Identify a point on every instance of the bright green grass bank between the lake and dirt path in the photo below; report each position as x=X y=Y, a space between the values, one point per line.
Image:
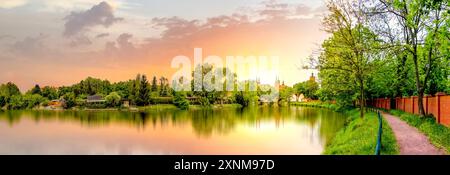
x=359 y=136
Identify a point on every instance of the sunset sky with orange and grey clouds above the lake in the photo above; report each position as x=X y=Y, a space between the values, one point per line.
x=54 y=42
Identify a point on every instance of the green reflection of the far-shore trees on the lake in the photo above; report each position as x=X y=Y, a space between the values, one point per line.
x=204 y=122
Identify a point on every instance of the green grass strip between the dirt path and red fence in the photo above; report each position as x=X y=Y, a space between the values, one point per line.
x=438 y=134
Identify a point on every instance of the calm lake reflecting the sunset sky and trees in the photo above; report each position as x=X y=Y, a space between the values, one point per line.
x=248 y=131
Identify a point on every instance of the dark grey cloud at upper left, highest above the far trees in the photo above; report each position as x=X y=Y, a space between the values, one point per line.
x=99 y=15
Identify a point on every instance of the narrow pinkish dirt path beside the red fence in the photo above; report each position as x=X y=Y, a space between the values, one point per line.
x=409 y=139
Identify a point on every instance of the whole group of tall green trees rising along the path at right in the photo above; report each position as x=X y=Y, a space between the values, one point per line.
x=384 y=48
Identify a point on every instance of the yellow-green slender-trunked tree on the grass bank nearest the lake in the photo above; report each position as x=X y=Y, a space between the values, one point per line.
x=350 y=50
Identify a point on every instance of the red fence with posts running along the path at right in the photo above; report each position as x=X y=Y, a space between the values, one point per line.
x=438 y=106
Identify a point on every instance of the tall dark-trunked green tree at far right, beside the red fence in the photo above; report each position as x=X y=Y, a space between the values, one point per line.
x=423 y=27
